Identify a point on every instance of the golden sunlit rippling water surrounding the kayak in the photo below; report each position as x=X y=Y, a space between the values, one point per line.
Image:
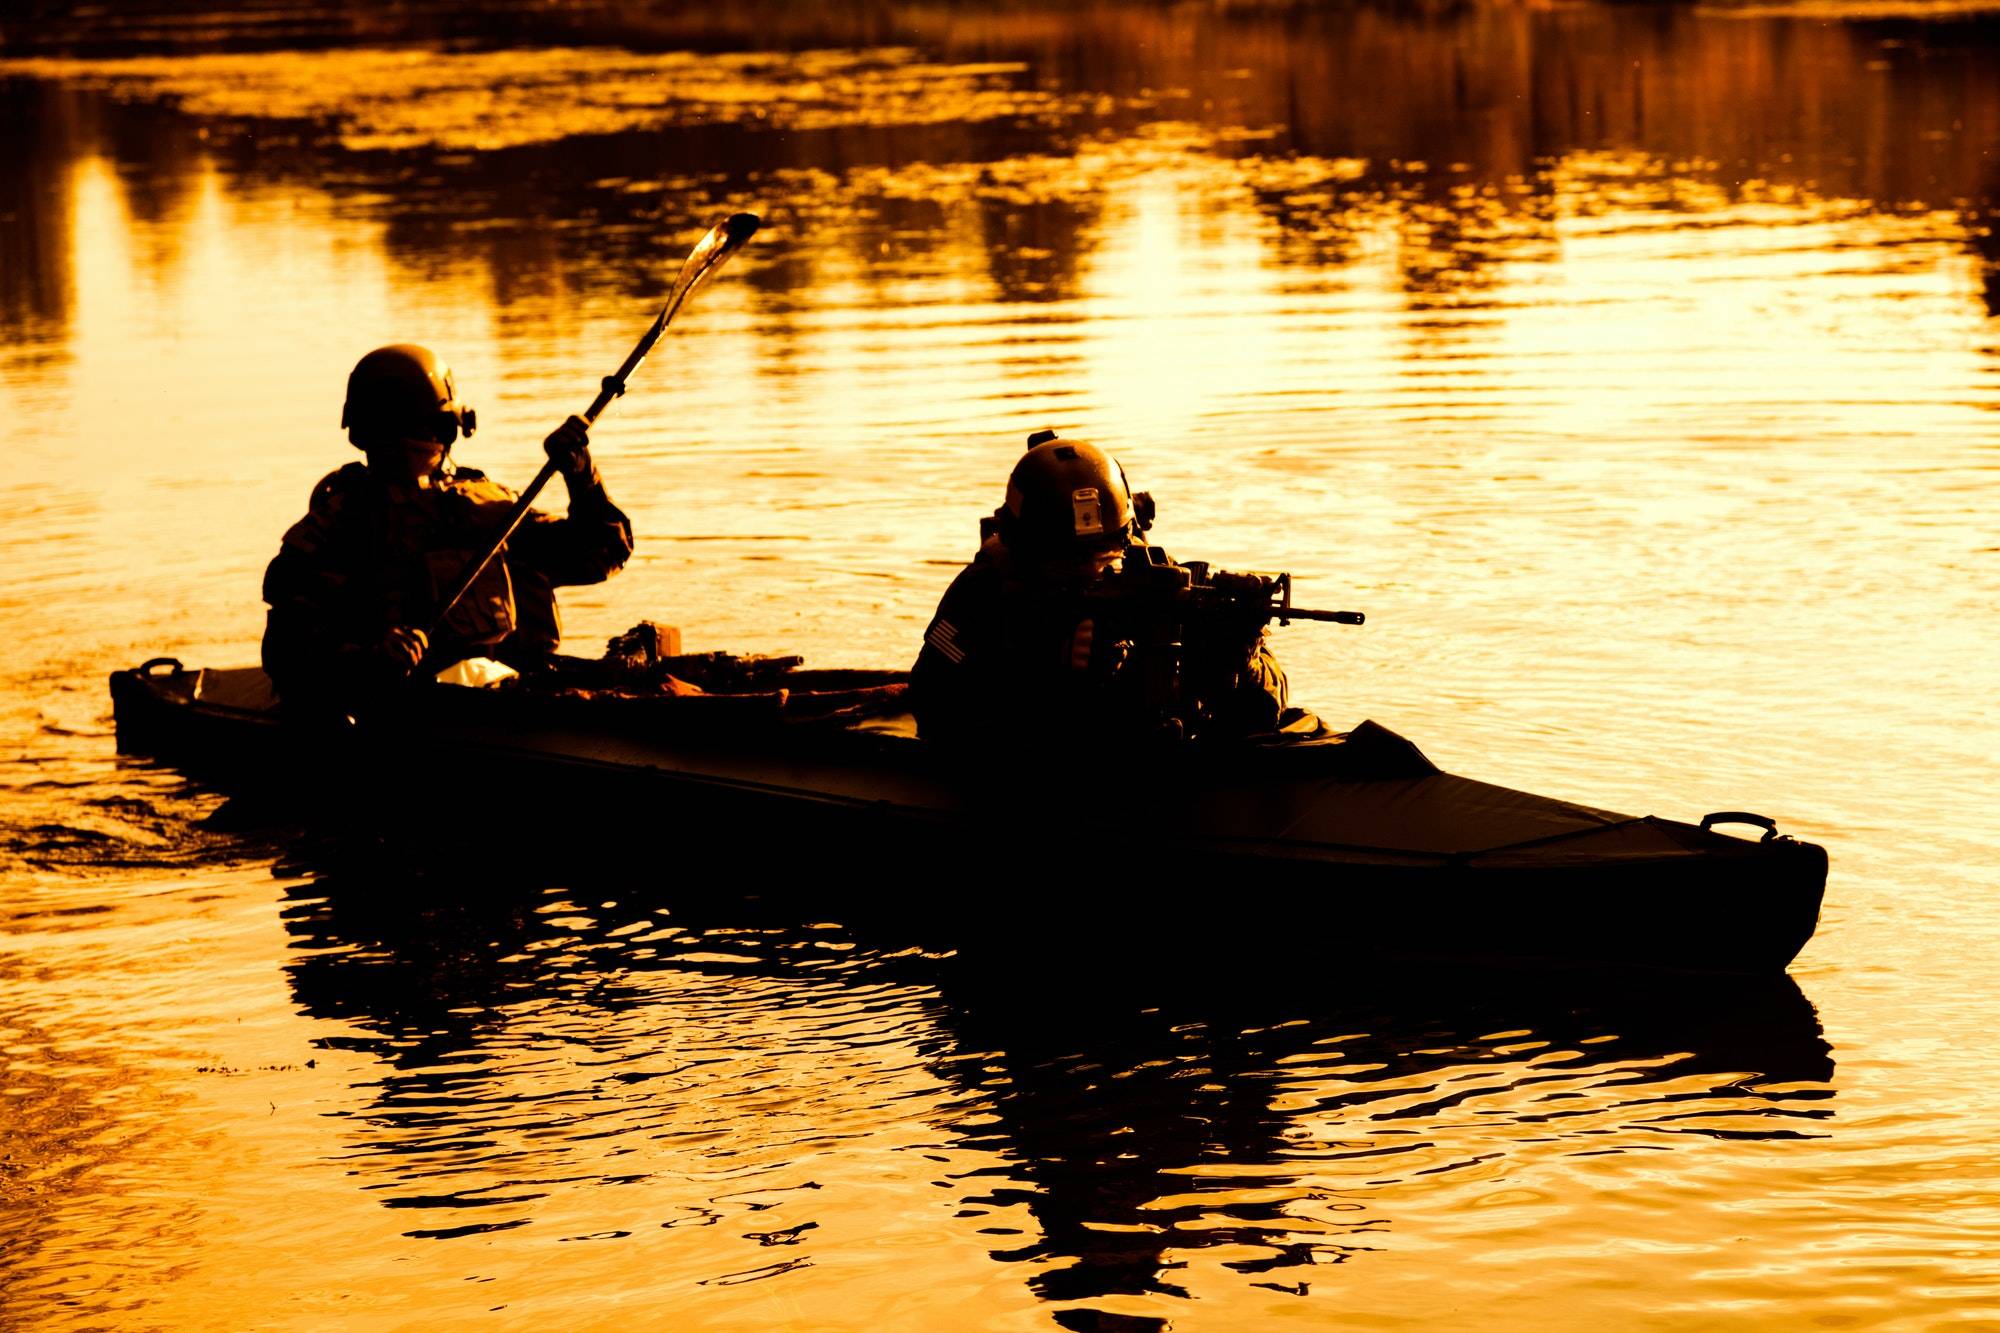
x=1635 y=371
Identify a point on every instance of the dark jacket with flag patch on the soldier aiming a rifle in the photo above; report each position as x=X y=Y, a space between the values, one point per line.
x=997 y=672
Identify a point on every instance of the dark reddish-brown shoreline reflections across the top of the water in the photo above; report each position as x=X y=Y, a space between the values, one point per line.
x=1457 y=119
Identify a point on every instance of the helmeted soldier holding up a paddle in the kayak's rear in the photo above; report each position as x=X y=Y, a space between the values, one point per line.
x=359 y=581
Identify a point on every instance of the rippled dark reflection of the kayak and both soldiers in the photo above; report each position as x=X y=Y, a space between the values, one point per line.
x=1115 y=1138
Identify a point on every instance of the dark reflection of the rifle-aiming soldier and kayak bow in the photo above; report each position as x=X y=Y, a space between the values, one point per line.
x=1287 y=1144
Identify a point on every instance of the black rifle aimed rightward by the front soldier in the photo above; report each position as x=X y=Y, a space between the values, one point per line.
x=1189 y=633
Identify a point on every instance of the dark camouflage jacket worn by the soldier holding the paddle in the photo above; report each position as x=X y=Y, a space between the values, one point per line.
x=367 y=559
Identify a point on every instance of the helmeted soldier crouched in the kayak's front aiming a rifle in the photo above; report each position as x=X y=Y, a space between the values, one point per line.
x=1071 y=631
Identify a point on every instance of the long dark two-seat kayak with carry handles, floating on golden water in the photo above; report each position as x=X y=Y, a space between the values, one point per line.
x=1353 y=846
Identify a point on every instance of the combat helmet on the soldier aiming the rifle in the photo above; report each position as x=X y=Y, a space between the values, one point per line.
x=1069 y=497
